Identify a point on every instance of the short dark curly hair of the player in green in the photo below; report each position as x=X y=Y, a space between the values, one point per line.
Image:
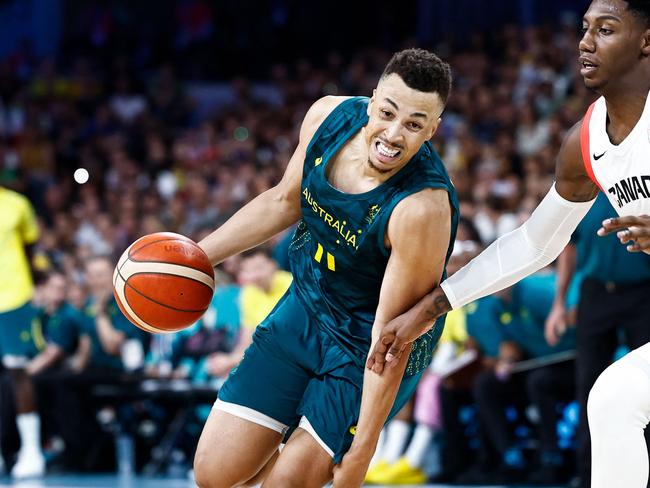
x=421 y=70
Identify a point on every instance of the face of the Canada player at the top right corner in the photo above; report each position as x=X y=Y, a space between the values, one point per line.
x=612 y=44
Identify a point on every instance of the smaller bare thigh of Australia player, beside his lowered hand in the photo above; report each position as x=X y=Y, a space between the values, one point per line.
x=303 y=463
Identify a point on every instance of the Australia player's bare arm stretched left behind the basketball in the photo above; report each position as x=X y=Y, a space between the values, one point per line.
x=275 y=209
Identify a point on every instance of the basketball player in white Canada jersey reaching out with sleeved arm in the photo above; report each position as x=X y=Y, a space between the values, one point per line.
x=608 y=150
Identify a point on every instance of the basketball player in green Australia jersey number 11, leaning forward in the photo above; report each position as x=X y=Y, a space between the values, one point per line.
x=377 y=219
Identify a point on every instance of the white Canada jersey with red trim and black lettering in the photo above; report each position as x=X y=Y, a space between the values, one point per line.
x=621 y=171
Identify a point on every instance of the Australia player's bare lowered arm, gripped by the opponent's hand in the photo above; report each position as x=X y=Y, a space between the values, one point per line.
x=418 y=234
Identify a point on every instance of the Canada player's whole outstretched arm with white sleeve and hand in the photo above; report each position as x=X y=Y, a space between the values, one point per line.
x=507 y=260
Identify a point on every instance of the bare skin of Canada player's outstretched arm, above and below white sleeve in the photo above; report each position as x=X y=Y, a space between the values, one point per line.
x=572 y=183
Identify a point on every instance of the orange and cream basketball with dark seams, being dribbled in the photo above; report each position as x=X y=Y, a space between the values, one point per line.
x=163 y=282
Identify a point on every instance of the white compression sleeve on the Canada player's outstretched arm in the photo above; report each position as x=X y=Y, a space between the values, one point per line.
x=519 y=253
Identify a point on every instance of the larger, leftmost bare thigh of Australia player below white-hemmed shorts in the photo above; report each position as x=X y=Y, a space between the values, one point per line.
x=232 y=450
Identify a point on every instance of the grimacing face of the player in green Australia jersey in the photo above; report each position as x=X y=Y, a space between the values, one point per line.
x=400 y=120
